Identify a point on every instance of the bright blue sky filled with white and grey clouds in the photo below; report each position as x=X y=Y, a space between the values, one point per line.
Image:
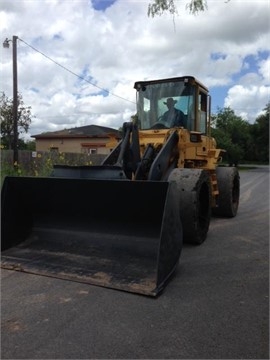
x=78 y=60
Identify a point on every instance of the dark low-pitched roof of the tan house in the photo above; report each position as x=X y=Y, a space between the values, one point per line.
x=83 y=131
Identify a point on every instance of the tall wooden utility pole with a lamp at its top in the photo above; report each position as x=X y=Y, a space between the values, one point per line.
x=15 y=97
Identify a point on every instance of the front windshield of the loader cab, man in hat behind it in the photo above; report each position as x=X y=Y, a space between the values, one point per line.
x=158 y=104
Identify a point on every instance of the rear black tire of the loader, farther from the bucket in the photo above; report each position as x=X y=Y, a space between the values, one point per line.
x=228 y=180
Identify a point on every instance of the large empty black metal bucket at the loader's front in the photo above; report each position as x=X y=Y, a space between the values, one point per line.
x=119 y=234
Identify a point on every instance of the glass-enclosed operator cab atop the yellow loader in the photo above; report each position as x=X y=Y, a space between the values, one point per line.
x=190 y=99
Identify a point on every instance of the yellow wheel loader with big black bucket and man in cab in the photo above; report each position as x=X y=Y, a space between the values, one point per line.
x=122 y=224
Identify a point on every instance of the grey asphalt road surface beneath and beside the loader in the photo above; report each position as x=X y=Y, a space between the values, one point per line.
x=216 y=306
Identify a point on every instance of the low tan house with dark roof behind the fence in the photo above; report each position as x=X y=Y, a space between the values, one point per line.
x=90 y=139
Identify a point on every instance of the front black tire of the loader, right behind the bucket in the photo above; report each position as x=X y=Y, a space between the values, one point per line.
x=195 y=203
